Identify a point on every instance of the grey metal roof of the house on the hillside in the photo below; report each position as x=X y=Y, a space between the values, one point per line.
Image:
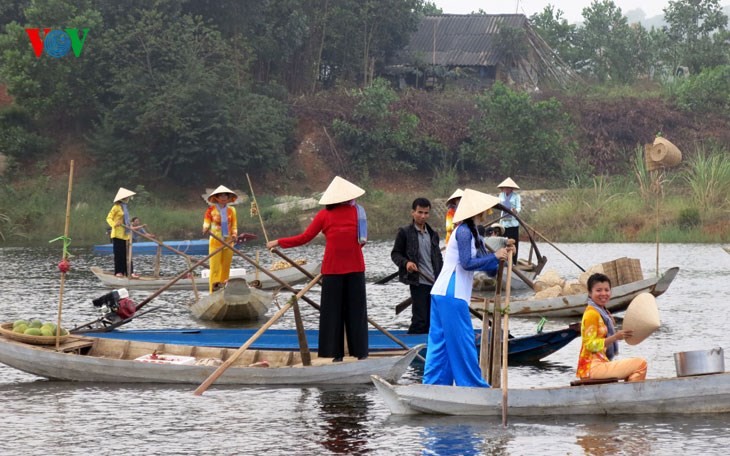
x=461 y=40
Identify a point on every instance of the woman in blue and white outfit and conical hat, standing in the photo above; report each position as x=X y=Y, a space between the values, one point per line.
x=452 y=354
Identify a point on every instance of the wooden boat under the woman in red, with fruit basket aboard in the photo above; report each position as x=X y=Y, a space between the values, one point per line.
x=85 y=359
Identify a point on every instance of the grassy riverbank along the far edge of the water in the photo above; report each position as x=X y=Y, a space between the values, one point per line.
x=616 y=209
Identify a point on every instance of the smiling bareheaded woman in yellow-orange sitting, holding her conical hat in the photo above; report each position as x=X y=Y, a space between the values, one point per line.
x=599 y=339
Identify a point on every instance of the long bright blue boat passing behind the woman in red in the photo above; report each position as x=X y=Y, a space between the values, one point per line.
x=522 y=350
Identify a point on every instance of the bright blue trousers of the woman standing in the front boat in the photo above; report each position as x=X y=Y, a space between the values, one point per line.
x=451 y=357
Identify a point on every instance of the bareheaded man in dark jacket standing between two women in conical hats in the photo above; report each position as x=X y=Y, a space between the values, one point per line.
x=417 y=254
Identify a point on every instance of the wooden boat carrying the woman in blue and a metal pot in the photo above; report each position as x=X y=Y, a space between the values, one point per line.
x=679 y=395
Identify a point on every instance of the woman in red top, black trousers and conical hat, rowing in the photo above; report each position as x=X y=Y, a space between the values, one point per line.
x=344 y=306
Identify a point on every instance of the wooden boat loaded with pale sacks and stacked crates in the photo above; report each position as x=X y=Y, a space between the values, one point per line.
x=574 y=305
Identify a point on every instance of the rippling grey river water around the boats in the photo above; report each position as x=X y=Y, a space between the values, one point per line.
x=63 y=418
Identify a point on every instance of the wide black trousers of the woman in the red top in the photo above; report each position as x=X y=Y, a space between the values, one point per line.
x=344 y=310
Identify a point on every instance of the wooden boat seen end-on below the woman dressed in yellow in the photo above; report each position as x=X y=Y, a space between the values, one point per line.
x=235 y=302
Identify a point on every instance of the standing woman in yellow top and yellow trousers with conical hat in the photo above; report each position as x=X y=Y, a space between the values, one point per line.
x=221 y=220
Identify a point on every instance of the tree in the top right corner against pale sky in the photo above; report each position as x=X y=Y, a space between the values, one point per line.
x=697 y=29
